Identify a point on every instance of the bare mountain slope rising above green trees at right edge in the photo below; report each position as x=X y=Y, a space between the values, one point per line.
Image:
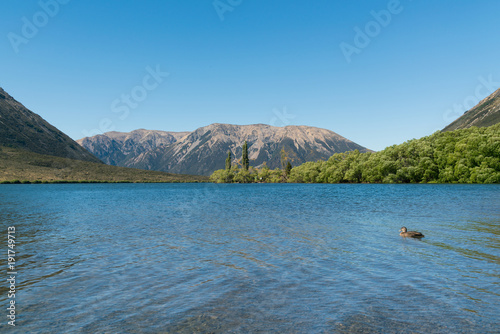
x=486 y=113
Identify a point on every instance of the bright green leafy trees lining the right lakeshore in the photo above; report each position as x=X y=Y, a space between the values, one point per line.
x=461 y=156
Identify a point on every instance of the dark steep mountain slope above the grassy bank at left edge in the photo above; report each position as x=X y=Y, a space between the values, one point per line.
x=22 y=128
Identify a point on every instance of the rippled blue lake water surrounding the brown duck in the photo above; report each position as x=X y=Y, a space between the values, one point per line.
x=204 y=258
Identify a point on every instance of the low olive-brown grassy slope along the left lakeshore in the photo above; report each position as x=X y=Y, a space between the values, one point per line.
x=25 y=166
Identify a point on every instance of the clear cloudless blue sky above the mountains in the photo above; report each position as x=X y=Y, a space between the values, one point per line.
x=376 y=72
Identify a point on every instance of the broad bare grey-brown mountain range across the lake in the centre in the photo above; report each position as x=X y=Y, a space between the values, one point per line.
x=205 y=149
